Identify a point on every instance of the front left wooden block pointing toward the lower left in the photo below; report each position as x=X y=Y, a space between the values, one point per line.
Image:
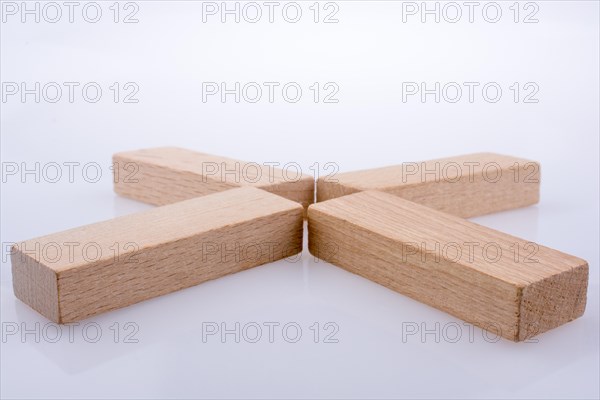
x=84 y=271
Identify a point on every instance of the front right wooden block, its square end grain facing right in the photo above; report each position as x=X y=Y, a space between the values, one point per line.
x=490 y=279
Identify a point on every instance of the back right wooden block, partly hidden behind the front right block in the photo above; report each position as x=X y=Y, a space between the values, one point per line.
x=467 y=186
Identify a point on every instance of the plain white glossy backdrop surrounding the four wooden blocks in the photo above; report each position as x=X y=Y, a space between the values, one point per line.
x=368 y=54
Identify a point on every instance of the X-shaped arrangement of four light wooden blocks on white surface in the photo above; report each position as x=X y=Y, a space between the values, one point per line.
x=399 y=226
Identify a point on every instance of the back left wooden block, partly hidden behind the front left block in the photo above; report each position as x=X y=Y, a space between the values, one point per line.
x=168 y=174
